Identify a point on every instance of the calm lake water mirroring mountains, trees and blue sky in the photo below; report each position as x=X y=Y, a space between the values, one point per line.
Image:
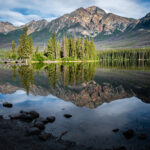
x=100 y=98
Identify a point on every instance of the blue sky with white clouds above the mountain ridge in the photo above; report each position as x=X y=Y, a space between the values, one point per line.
x=19 y=12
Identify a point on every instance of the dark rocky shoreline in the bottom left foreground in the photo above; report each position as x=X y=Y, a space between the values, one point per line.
x=23 y=133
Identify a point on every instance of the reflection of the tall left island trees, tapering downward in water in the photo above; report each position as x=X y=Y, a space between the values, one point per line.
x=26 y=74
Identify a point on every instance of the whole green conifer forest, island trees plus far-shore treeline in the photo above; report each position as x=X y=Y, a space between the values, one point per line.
x=69 y=49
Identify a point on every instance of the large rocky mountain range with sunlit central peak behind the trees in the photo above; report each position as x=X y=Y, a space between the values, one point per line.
x=105 y=28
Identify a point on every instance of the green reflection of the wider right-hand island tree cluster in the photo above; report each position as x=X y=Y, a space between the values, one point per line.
x=70 y=74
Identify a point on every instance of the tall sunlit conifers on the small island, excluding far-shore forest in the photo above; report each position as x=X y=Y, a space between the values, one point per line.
x=67 y=48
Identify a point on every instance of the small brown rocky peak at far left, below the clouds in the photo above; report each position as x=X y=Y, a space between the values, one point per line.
x=6 y=27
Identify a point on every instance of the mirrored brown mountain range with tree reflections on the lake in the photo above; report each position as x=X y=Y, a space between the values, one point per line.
x=77 y=83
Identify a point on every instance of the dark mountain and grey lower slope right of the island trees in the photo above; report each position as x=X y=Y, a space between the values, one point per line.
x=136 y=35
